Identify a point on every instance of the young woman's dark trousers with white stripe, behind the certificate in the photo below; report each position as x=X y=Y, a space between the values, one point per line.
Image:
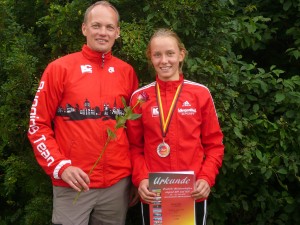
x=201 y=213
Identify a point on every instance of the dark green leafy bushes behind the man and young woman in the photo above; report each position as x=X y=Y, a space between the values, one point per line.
x=246 y=52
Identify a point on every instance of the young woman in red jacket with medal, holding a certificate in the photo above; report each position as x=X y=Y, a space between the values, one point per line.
x=178 y=115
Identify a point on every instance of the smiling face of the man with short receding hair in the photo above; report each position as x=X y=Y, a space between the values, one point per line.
x=101 y=28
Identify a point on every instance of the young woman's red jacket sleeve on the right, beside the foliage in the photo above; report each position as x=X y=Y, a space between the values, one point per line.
x=212 y=142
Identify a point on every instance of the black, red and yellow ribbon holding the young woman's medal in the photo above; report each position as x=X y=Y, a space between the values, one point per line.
x=165 y=123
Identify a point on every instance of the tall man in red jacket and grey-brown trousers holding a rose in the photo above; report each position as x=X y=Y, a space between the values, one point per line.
x=78 y=98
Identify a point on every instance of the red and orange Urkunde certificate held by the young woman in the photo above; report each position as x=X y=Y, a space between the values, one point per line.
x=174 y=205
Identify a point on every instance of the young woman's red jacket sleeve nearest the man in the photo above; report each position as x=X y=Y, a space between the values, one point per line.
x=136 y=140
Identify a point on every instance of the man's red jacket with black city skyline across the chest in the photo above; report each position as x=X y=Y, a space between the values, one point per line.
x=77 y=100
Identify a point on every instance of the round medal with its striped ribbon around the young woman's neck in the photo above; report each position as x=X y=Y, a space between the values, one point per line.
x=163 y=149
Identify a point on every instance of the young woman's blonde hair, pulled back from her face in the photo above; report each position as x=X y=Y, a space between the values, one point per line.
x=164 y=32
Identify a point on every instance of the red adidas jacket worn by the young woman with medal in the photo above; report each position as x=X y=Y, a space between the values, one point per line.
x=194 y=134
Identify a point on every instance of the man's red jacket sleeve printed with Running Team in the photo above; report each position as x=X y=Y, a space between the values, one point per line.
x=40 y=132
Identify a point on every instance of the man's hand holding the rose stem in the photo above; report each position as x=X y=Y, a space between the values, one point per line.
x=76 y=178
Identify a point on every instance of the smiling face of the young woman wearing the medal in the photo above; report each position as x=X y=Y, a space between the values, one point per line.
x=165 y=57
